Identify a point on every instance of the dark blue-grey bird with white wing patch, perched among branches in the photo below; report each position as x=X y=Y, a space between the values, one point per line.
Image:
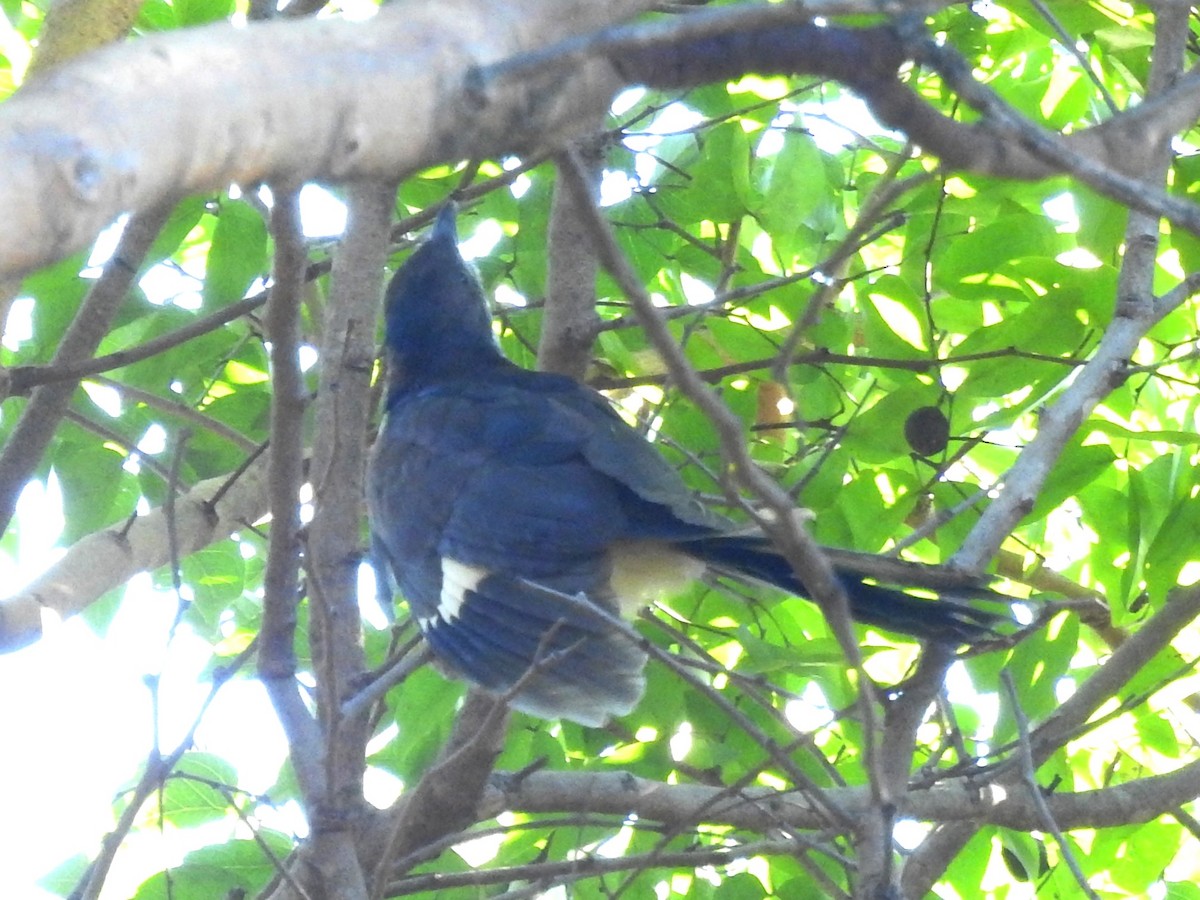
x=519 y=513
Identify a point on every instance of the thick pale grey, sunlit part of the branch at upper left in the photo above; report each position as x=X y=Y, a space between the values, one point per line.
x=130 y=127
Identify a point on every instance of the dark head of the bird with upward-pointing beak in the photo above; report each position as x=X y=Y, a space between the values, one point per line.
x=439 y=325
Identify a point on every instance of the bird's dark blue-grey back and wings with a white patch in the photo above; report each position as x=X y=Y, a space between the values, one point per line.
x=499 y=507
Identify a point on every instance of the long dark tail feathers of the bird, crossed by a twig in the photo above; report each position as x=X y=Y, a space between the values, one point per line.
x=947 y=619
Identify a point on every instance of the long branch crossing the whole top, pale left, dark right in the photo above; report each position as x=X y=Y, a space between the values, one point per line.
x=230 y=110
